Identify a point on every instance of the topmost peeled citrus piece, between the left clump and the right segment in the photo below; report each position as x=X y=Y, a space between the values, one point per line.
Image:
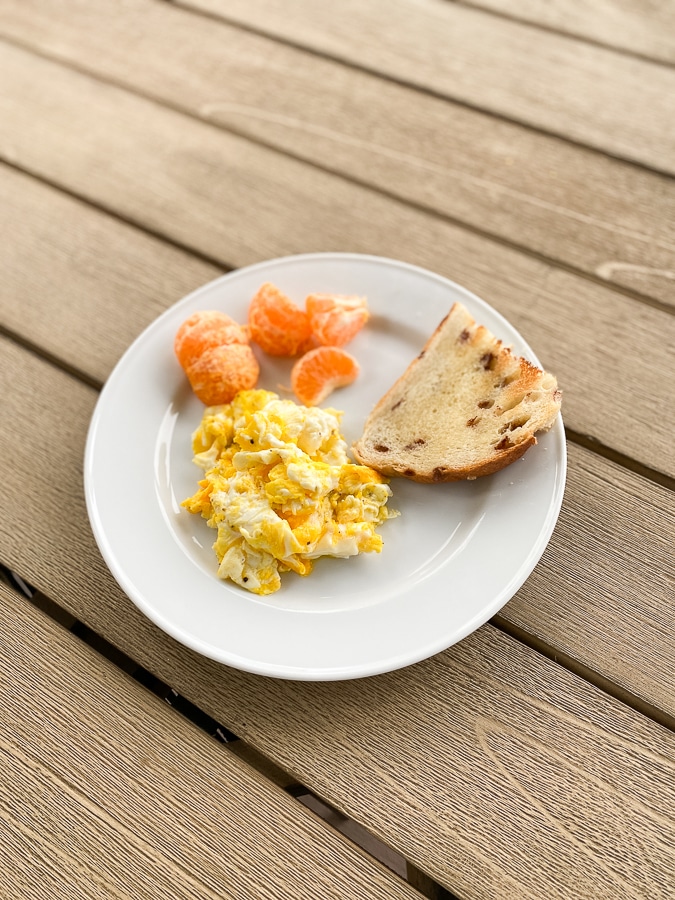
x=276 y=324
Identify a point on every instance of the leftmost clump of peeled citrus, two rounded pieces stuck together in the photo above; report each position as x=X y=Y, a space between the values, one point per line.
x=216 y=356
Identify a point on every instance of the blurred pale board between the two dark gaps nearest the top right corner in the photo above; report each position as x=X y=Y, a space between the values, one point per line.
x=564 y=86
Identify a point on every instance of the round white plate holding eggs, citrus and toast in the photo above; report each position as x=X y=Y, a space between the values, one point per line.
x=452 y=559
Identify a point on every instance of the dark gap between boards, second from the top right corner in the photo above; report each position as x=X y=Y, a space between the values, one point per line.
x=422 y=89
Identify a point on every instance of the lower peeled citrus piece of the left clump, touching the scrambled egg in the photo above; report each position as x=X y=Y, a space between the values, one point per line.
x=220 y=372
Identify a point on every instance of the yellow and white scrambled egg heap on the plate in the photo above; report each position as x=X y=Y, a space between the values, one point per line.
x=280 y=490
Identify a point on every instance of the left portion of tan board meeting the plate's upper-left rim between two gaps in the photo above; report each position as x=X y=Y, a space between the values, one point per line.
x=66 y=268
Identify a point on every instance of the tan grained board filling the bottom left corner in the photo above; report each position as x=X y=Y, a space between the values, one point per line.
x=108 y=793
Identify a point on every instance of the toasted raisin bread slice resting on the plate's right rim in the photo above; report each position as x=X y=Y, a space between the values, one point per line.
x=465 y=407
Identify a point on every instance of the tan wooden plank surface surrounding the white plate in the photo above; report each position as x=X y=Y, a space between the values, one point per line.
x=527 y=164
